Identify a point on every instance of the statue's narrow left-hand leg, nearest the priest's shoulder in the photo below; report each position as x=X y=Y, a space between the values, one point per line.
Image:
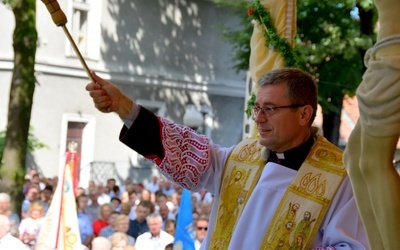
x=352 y=157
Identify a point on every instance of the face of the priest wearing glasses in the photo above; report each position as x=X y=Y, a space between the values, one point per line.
x=282 y=128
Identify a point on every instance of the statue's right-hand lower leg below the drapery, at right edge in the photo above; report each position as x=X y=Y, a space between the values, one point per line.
x=383 y=183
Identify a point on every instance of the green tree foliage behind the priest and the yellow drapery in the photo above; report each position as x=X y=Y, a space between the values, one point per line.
x=332 y=37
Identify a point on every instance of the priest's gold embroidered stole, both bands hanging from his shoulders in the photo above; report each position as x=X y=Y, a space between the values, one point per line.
x=312 y=190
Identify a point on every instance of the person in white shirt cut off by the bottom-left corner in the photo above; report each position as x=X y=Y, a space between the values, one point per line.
x=7 y=241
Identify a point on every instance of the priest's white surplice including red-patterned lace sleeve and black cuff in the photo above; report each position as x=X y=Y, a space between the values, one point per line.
x=194 y=162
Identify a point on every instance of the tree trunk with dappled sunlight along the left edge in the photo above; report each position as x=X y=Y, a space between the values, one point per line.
x=12 y=169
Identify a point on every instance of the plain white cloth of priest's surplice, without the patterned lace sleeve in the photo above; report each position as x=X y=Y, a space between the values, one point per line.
x=342 y=227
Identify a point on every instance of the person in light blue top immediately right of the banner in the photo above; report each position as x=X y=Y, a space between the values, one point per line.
x=84 y=221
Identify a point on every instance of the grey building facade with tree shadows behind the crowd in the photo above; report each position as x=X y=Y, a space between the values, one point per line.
x=166 y=55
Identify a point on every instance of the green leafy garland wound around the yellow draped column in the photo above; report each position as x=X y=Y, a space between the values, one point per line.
x=272 y=39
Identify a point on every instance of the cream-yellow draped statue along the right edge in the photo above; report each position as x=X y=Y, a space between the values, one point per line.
x=378 y=132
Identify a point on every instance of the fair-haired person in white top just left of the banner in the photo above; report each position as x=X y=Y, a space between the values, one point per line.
x=29 y=227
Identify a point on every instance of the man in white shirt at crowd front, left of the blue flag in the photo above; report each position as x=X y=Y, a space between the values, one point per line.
x=155 y=239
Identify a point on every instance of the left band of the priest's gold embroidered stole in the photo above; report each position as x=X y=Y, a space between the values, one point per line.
x=240 y=176
